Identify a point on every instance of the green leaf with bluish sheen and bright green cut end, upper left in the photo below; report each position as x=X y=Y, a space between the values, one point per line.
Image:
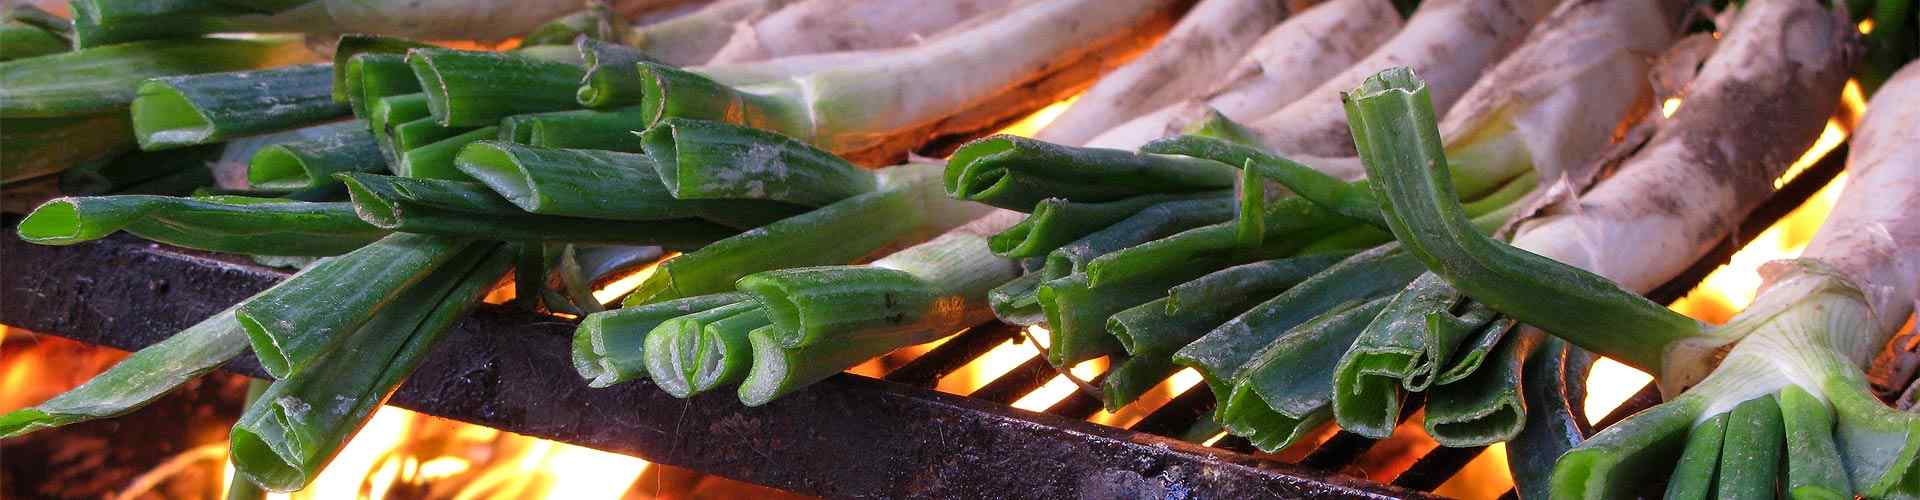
x=172 y=112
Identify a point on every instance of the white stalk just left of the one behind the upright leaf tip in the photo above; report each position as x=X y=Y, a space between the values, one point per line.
x=1289 y=61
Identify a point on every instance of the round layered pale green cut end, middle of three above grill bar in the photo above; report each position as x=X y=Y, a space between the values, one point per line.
x=679 y=351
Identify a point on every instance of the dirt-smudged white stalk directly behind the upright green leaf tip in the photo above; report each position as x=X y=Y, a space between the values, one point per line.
x=1451 y=43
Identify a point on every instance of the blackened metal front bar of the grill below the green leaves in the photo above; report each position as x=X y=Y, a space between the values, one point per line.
x=846 y=437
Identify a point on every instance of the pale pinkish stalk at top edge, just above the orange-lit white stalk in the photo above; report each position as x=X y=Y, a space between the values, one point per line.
x=838 y=26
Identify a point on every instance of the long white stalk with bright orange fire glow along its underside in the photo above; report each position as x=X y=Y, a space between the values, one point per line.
x=959 y=82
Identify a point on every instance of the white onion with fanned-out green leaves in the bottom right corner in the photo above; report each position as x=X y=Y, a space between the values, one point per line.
x=1813 y=330
